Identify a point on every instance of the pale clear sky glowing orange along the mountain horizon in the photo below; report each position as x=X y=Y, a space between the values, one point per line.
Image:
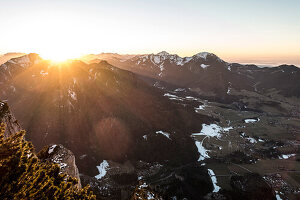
x=246 y=31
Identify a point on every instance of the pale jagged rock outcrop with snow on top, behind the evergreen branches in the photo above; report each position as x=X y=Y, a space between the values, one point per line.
x=63 y=157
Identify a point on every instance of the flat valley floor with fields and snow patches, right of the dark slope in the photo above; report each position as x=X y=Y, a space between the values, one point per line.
x=265 y=135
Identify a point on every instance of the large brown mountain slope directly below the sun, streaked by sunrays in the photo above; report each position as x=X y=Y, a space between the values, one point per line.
x=97 y=111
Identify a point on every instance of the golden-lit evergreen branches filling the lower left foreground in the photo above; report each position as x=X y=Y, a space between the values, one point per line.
x=24 y=176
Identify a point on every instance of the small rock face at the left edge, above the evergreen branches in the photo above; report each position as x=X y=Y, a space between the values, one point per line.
x=12 y=125
